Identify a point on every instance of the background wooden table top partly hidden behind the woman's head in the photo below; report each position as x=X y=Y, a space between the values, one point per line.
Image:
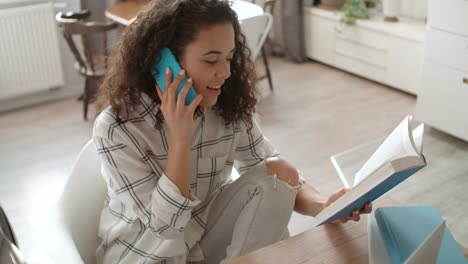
x=125 y=12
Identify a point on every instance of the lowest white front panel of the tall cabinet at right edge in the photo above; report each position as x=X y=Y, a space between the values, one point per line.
x=442 y=101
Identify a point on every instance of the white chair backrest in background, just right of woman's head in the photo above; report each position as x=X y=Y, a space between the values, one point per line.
x=256 y=30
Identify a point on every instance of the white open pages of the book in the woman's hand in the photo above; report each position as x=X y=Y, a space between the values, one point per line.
x=398 y=143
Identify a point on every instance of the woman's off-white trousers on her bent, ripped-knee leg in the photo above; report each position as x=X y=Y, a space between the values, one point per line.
x=250 y=213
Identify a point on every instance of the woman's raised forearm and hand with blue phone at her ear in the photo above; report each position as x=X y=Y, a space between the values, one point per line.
x=179 y=117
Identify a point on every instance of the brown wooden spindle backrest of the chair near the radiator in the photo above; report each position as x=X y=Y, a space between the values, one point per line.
x=73 y=24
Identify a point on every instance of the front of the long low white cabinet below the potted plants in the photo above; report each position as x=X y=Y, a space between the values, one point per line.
x=383 y=52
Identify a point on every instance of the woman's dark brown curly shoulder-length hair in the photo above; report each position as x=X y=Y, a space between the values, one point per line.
x=174 y=24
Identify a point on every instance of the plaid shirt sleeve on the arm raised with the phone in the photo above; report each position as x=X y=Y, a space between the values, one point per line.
x=141 y=185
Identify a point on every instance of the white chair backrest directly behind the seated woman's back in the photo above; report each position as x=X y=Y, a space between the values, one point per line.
x=82 y=202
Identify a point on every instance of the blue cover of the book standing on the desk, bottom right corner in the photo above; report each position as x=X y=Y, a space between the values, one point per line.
x=403 y=229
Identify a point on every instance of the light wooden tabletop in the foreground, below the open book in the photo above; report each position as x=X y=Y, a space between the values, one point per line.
x=340 y=243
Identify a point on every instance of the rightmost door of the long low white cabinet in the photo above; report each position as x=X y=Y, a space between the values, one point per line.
x=404 y=65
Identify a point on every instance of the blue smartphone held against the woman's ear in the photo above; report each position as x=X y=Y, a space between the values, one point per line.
x=158 y=71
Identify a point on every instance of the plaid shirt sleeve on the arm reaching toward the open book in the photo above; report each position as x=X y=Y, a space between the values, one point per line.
x=252 y=147
